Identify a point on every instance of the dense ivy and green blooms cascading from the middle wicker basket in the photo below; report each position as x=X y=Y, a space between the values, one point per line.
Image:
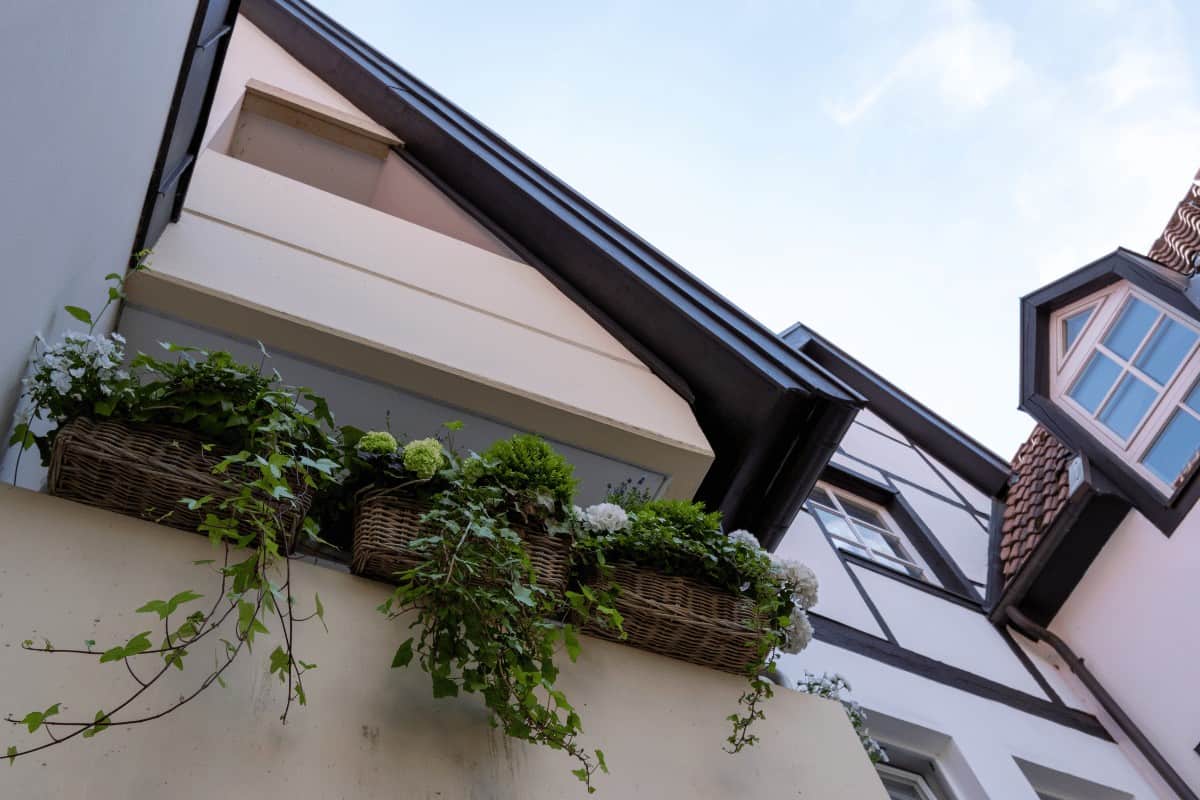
x=485 y=625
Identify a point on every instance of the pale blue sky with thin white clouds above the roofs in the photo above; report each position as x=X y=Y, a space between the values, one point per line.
x=895 y=175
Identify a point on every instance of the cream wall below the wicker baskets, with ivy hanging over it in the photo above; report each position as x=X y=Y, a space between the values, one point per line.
x=73 y=573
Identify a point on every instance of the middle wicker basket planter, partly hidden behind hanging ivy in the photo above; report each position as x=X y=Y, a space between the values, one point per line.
x=386 y=524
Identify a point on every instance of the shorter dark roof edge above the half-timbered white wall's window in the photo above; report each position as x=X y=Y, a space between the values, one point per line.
x=971 y=460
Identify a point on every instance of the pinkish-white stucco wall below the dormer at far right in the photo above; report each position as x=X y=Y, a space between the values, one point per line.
x=1132 y=619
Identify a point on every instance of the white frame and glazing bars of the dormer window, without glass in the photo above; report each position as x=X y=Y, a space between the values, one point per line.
x=1070 y=365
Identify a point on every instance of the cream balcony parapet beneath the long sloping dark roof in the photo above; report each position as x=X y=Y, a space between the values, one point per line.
x=265 y=257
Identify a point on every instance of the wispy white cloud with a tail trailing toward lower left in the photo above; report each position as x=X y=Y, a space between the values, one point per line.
x=967 y=61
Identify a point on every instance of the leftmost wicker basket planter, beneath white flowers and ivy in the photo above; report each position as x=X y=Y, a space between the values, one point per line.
x=143 y=471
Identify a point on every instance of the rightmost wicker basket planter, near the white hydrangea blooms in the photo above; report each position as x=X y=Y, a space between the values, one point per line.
x=685 y=619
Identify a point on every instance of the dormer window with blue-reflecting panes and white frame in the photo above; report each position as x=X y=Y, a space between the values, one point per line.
x=1126 y=369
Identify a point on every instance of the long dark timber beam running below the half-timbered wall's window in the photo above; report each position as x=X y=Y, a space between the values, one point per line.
x=849 y=639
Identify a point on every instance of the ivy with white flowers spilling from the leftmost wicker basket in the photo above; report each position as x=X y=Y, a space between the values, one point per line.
x=273 y=444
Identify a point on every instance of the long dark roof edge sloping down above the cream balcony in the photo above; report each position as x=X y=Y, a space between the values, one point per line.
x=759 y=345
